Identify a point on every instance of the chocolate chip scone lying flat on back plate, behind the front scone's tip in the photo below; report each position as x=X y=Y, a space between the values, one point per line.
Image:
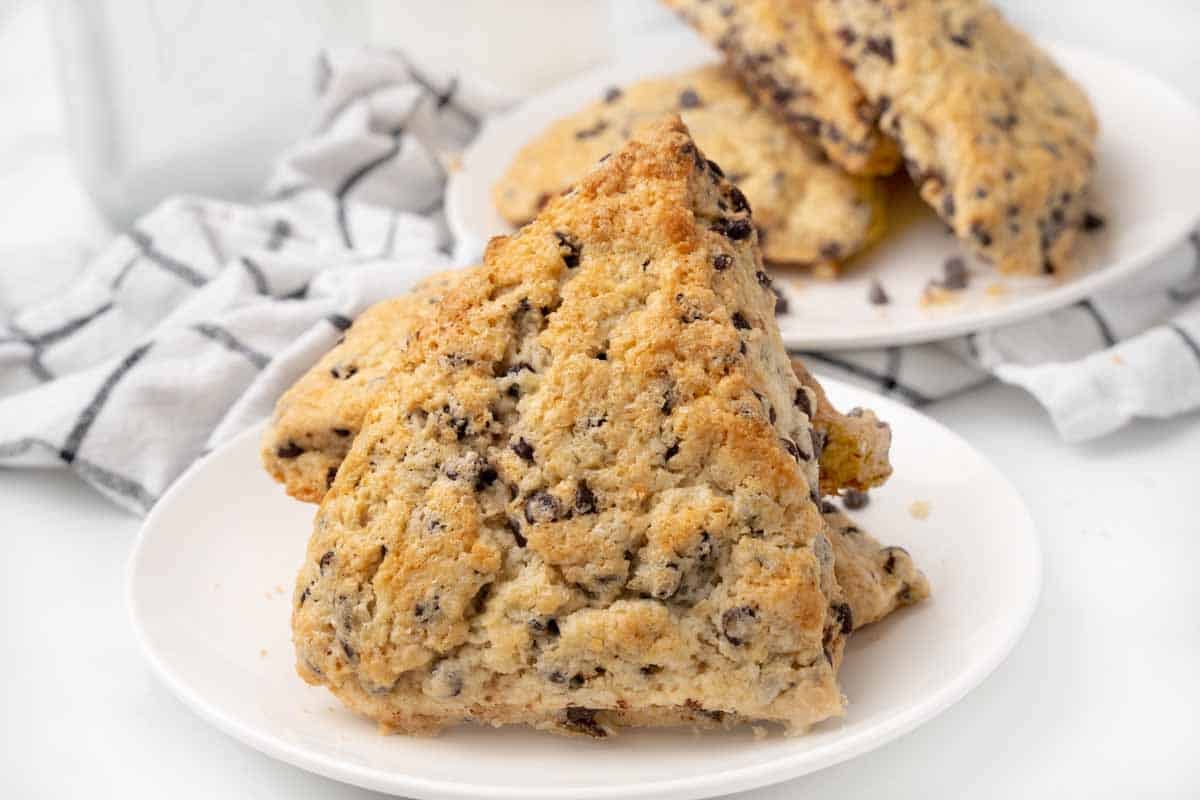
x=808 y=212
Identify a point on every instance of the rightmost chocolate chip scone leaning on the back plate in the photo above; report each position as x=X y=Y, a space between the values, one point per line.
x=997 y=137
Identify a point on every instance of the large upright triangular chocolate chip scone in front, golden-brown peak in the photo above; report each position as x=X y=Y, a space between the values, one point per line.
x=586 y=498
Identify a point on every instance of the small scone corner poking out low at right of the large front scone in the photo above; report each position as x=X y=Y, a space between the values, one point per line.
x=877 y=580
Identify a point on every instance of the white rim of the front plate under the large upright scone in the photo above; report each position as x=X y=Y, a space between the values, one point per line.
x=683 y=789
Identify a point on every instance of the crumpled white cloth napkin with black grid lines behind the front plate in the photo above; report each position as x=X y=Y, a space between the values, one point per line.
x=185 y=330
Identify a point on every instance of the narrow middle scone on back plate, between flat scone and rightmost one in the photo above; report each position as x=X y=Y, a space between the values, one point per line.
x=781 y=53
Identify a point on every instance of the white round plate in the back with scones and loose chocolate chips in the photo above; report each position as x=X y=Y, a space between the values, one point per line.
x=1148 y=187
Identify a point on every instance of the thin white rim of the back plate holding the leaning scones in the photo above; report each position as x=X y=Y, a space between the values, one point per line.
x=1053 y=299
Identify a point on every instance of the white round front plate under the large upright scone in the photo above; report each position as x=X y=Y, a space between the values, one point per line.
x=211 y=593
